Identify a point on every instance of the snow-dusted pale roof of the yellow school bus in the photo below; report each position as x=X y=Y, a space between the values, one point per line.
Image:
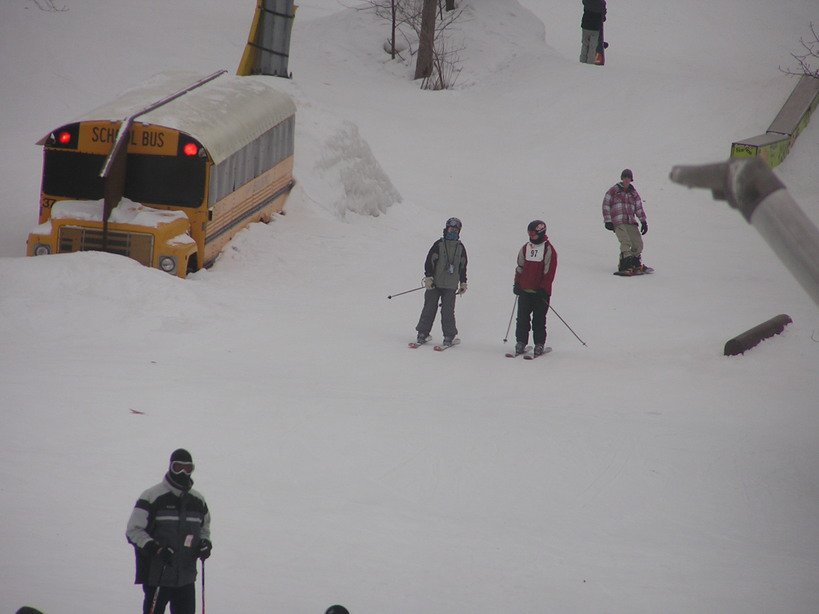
x=224 y=114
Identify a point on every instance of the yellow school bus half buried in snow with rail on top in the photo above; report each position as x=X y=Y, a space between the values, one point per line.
x=168 y=172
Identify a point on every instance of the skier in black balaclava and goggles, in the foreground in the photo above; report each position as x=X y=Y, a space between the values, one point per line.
x=169 y=529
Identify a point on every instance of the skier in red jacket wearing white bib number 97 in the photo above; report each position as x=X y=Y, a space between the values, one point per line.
x=534 y=274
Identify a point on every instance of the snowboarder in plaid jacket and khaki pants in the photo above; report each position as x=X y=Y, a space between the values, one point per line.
x=622 y=207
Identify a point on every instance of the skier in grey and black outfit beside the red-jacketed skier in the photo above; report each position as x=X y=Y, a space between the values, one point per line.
x=444 y=278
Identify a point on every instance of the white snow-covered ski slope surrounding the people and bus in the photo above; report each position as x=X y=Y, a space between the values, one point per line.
x=643 y=472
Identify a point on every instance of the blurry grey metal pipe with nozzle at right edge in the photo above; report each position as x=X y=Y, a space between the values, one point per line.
x=749 y=185
